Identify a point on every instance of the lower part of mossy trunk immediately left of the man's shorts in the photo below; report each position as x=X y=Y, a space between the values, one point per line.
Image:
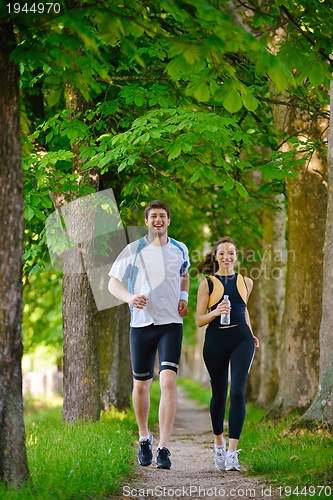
x=114 y=356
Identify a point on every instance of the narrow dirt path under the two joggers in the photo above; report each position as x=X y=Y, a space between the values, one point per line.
x=193 y=474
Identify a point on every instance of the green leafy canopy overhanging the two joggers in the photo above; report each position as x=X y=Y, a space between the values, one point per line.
x=180 y=100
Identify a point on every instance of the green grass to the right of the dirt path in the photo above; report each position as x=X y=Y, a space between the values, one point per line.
x=285 y=454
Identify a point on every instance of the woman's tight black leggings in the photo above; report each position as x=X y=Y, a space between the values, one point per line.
x=223 y=345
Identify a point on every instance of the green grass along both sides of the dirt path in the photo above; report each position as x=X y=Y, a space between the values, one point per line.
x=90 y=461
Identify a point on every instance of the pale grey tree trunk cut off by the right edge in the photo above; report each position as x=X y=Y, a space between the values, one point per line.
x=321 y=408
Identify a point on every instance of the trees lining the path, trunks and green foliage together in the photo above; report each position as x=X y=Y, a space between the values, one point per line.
x=221 y=109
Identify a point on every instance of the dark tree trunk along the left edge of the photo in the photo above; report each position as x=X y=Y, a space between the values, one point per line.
x=13 y=458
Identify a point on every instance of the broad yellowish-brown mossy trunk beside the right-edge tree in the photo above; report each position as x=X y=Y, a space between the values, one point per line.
x=307 y=203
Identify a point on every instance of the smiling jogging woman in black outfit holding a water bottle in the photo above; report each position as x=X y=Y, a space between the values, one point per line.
x=233 y=344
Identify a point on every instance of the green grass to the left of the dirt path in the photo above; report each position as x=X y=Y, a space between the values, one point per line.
x=88 y=461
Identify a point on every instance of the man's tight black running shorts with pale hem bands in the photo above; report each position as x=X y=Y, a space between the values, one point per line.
x=146 y=340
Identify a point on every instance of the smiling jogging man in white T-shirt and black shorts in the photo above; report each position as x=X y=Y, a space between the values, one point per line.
x=155 y=269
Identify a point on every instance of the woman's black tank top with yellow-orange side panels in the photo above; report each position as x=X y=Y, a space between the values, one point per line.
x=236 y=288
